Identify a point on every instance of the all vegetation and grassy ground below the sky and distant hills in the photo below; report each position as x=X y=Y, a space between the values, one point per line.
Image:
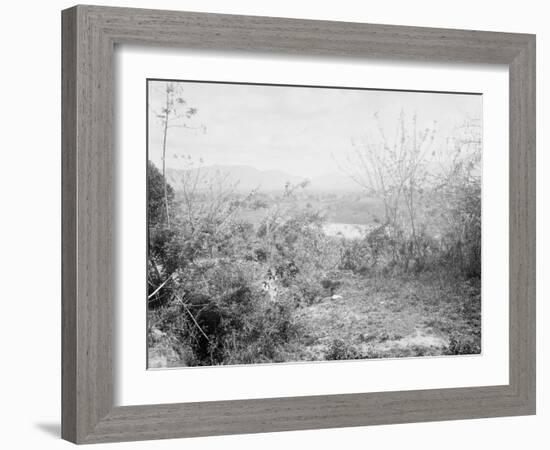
x=249 y=277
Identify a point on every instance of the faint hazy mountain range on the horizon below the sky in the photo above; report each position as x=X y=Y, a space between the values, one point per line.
x=249 y=178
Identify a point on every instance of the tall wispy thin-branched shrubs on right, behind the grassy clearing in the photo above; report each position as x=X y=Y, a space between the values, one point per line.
x=431 y=196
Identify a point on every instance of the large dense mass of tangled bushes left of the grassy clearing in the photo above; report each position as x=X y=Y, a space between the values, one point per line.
x=213 y=304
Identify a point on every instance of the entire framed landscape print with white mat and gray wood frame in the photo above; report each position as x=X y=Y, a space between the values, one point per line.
x=277 y=224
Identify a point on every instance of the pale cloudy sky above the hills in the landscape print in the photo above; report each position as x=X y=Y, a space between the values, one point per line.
x=302 y=131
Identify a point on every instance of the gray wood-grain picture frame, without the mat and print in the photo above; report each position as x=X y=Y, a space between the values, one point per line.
x=89 y=36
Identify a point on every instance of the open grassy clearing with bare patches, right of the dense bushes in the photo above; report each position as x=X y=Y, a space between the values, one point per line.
x=396 y=317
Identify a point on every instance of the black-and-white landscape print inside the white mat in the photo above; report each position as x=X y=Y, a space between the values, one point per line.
x=292 y=224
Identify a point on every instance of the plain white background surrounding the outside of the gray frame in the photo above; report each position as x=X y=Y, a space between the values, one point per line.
x=31 y=237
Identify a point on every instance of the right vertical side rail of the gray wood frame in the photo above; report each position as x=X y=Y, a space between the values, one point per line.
x=522 y=191
